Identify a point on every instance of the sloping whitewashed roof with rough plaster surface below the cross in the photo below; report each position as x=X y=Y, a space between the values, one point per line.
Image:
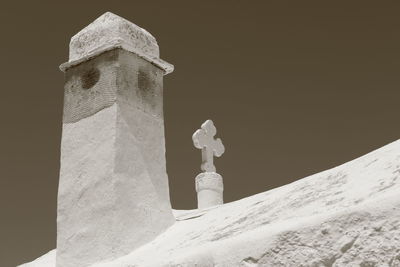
x=345 y=216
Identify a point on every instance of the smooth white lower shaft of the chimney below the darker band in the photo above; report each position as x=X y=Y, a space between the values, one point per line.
x=107 y=201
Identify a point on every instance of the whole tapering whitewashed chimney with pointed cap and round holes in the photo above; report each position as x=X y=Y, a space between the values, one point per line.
x=113 y=193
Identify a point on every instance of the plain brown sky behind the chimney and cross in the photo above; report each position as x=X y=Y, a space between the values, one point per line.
x=294 y=88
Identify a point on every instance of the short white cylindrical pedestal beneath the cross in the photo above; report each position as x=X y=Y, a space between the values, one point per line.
x=209 y=188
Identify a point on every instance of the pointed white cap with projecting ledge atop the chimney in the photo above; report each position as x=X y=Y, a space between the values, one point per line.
x=108 y=32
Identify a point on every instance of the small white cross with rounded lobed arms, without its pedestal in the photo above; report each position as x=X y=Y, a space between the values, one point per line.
x=204 y=139
